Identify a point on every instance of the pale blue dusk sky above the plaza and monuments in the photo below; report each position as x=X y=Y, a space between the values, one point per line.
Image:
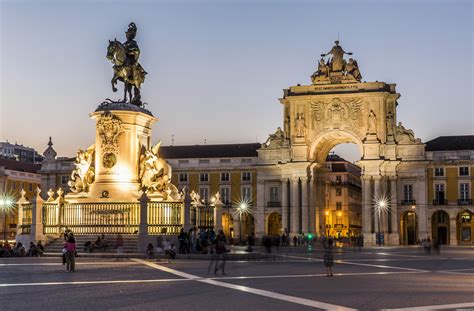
x=217 y=68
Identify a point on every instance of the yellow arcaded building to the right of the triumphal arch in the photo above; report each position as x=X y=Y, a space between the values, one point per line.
x=450 y=185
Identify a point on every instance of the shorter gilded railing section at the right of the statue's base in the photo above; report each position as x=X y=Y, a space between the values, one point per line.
x=165 y=217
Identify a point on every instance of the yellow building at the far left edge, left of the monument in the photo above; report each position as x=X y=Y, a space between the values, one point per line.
x=14 y=176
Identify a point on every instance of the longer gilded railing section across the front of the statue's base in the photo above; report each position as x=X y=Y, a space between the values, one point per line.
x=101 y=218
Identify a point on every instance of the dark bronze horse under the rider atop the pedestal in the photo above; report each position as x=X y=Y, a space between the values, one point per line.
x=132 y=75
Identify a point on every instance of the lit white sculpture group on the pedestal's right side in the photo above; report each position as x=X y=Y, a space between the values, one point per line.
x=155 y=174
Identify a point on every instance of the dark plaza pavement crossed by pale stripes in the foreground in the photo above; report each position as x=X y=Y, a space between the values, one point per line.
x=402 y=278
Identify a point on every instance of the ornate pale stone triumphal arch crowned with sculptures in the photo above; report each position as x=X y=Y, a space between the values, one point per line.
x=338 y=107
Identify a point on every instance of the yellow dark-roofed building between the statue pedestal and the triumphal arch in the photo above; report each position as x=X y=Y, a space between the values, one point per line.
x=228 y=169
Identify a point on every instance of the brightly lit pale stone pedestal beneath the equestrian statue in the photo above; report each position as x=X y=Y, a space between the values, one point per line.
x=121 y=132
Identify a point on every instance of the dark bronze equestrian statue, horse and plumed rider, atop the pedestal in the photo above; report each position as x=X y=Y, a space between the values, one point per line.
x=127 y=69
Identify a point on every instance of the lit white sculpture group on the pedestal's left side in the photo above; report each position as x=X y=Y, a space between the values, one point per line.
x=83 y=174
